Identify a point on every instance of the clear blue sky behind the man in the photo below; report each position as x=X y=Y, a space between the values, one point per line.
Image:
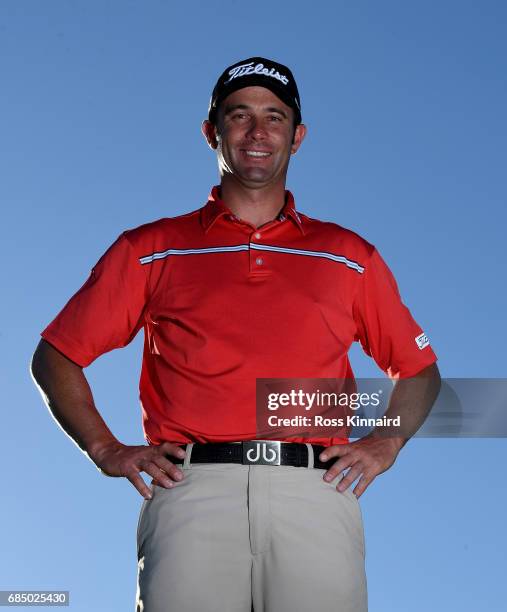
x=100 y=111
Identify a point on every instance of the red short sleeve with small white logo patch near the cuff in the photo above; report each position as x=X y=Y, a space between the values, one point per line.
x=385 y=327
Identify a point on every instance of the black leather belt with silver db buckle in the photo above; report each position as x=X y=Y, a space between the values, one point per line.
x=258 y=452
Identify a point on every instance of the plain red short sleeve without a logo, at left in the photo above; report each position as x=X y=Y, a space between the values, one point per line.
x=107 y=312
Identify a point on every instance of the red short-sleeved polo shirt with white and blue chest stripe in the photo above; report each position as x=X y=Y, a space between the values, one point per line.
x=223 y=303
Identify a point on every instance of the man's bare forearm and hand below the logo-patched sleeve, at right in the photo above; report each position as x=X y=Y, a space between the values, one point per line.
x=411 y=400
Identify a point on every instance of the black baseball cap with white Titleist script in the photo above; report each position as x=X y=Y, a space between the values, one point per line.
x=261 y=72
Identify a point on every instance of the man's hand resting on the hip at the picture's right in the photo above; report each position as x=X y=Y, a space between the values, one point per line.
x=367 y=458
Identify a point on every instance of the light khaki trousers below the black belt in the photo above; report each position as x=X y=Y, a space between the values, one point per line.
x=230 y=536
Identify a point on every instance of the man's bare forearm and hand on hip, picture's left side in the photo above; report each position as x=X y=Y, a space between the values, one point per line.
x=69 y=398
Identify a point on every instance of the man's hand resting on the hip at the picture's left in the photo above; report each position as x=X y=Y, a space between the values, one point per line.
x=117 y=459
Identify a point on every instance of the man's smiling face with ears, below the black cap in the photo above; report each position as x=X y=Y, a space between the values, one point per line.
x=254 y=137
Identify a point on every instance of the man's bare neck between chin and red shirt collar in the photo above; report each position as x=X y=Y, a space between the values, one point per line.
x=256 y=206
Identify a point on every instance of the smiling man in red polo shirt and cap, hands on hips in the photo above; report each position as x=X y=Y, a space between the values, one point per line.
x=241 y=289
